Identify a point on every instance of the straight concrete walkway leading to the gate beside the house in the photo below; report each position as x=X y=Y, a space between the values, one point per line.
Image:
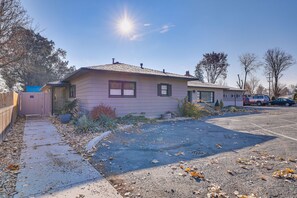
x=51 y=168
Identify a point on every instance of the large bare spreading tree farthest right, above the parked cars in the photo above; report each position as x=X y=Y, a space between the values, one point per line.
x=276 y=62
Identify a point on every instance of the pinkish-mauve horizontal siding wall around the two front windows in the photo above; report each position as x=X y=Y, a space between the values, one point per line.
x=92 y=89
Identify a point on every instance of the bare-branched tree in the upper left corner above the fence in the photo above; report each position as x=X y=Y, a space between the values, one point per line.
x=12 y=16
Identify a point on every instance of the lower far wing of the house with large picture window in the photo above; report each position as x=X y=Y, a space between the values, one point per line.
x=199 y=92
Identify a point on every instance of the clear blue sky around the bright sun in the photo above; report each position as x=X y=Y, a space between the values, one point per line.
x=169 y=34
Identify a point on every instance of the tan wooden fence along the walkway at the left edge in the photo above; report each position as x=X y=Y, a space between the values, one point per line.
x=8 y=111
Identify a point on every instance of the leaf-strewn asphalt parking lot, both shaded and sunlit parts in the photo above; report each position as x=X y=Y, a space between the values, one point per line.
x=237 y=155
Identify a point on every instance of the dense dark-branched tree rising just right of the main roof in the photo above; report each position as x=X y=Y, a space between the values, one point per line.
x=215 y=66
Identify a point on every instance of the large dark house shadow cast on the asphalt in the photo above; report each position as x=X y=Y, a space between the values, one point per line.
x=169 y=142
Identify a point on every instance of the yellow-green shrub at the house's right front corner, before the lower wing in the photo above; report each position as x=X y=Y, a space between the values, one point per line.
x=189 y=109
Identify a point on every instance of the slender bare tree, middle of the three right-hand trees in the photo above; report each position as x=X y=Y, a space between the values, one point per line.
x=249 y=63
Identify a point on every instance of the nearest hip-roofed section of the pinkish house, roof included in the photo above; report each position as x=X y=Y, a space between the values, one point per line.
x=127 y=88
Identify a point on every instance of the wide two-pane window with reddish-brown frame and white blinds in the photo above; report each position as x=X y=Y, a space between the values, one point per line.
x=122 y=89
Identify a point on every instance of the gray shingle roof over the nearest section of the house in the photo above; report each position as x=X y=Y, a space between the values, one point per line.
x=121 y=67
